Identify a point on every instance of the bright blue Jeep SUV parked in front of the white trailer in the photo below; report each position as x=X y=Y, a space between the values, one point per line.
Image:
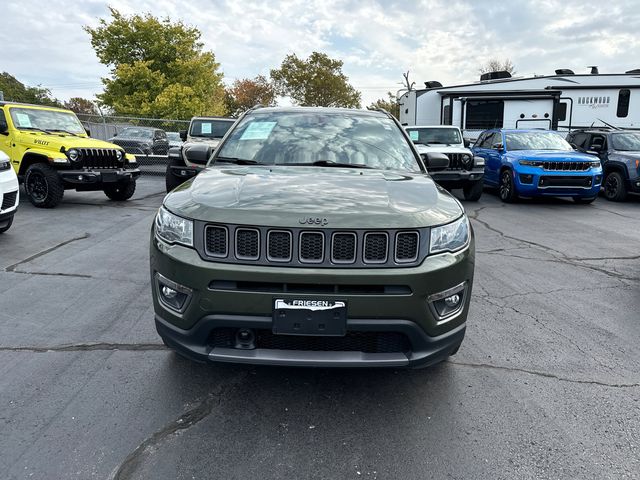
x=535 y=163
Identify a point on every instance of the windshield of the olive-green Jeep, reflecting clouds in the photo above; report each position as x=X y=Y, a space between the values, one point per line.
x=304 y=138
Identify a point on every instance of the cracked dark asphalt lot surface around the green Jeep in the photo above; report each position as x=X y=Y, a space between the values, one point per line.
x=546 y=384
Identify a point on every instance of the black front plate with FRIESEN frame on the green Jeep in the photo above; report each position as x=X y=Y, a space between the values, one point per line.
x=309 y=317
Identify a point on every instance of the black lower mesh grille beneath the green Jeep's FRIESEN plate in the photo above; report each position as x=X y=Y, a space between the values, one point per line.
x=353 y=341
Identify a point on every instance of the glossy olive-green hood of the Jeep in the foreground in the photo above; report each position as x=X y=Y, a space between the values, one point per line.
x=282 y=196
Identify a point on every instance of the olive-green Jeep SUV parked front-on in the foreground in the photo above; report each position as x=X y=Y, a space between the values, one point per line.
x=316 y=237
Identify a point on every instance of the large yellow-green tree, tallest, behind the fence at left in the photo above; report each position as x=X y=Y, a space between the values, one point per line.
x=158 y=68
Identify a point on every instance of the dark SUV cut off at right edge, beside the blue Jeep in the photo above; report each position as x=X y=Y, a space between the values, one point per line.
x=619 y=152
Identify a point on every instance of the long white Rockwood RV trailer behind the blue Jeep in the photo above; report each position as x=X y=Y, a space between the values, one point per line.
x=562 y=102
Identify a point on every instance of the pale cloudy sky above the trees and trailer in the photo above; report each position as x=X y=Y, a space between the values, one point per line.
x=44 y=43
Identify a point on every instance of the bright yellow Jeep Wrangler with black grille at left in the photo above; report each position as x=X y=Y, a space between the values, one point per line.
x=51 y=152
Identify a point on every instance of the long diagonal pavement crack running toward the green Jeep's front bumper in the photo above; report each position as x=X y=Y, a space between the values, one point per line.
x=188 y=419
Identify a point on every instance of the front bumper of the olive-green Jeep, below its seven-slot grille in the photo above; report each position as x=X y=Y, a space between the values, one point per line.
x=430 y=339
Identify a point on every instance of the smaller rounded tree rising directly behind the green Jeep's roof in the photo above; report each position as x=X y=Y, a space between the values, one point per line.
x=316 y=81
